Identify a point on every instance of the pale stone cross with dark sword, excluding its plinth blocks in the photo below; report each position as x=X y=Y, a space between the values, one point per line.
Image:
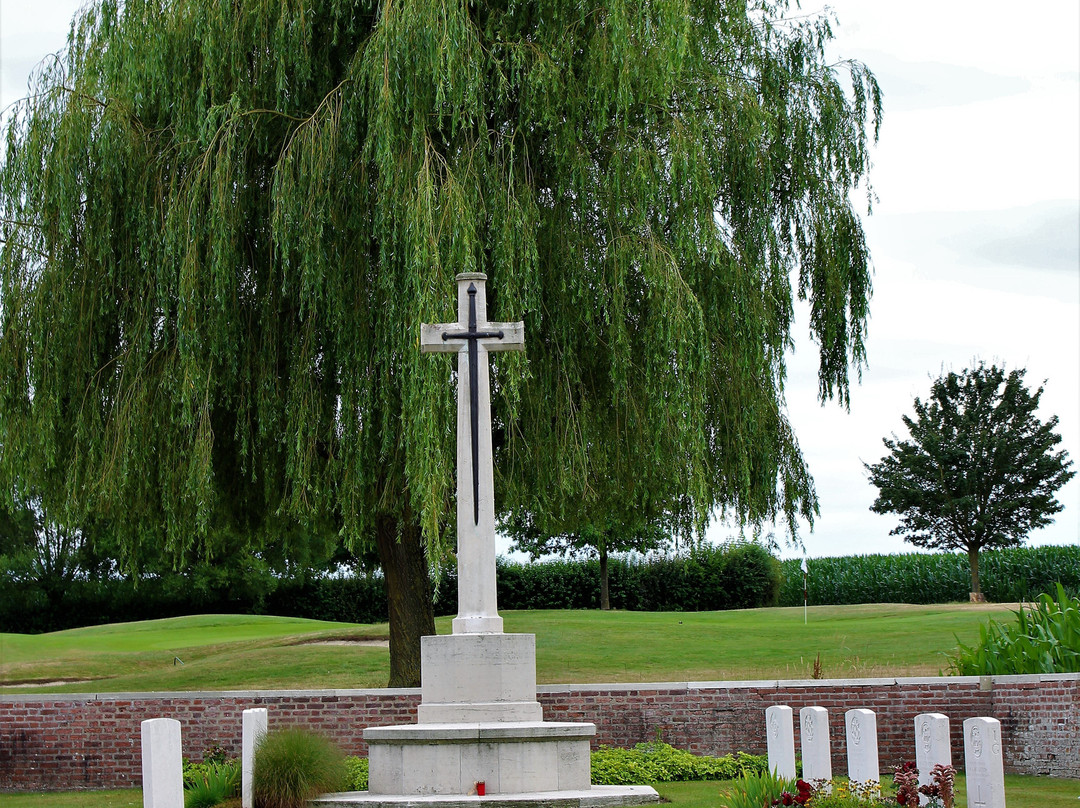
x=472 y=338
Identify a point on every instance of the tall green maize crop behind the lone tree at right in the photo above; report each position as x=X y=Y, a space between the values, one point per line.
x=1006 y=576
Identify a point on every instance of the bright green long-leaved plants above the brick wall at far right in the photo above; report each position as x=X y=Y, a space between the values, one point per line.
x=1046 y=639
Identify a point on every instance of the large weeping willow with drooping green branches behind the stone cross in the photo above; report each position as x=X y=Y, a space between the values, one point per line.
x=223 y=224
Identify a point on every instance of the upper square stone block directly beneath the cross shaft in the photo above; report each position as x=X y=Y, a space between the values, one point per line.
x=479 y=678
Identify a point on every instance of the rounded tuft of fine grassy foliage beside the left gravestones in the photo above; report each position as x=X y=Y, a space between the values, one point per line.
x=293 y=765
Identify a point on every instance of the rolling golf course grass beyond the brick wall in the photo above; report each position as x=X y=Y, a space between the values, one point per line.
x=232 y=653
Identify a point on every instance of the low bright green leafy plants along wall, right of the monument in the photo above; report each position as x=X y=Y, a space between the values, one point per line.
x=660 y=763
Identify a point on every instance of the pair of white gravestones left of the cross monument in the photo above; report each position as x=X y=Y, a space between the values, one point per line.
x=164 y=762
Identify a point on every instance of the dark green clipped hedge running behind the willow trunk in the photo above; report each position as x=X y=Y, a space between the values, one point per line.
x=738 y=576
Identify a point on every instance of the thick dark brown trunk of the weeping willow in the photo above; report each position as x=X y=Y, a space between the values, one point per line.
x=409 y=597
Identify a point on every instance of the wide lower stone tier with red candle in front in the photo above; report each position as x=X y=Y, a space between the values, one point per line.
x=508 y=758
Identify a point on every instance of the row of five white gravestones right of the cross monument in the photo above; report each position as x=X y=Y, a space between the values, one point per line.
x=982 y=750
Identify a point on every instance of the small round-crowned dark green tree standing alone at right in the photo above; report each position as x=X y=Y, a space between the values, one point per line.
x=979 y=470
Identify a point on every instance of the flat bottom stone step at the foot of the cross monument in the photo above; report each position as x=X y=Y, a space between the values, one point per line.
x=598 y=797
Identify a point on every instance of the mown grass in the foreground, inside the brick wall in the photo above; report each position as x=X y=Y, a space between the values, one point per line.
x=1022 y=792
